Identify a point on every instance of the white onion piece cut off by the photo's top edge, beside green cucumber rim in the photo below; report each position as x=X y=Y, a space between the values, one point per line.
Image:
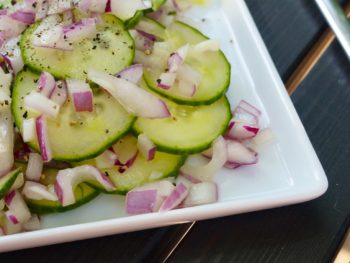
x=126 y=9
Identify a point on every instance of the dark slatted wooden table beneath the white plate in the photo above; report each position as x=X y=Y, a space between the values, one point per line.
x=308 y=232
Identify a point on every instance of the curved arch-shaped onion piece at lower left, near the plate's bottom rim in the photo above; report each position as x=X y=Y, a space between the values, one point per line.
x=68 y=179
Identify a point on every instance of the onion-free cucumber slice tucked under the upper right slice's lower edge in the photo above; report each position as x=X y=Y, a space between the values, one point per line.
x=190 y=129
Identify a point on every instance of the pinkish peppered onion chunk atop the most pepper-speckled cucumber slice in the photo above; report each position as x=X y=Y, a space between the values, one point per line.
x=86 y=28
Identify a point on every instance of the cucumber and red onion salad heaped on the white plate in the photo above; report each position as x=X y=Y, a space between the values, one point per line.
x=114 y=97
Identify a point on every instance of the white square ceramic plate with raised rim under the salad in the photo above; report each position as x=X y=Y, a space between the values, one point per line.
x=288 y=171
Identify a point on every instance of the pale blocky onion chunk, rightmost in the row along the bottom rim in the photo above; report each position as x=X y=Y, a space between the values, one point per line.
x=202 y=193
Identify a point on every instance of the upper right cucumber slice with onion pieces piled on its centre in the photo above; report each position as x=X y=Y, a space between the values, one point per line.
x=213 y=66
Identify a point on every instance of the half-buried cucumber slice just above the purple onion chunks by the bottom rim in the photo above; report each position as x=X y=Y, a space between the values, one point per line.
x=140 y=171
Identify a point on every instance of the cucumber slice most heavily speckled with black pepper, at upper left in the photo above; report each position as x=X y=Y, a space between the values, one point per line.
x=111 y=51
